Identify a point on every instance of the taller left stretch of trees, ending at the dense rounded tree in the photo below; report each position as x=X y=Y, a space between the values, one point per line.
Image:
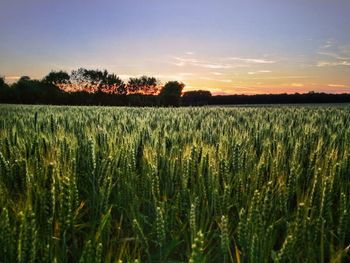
x=91 y=87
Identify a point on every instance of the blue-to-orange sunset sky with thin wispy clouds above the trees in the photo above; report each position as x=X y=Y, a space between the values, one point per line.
x=225 y=46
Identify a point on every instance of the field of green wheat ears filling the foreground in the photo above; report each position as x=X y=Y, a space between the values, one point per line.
x=237 y=184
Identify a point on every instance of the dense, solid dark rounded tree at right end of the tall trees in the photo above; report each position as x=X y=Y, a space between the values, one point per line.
x=171 y=92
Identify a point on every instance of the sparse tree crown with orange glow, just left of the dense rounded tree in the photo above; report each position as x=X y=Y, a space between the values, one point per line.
x=143 y=85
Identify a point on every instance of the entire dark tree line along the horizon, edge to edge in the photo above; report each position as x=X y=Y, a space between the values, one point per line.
x=99 y=87
